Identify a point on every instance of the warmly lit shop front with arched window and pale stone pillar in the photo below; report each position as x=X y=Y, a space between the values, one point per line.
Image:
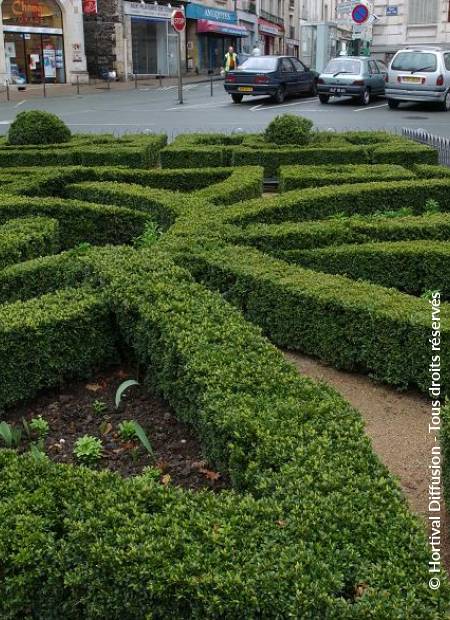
x=40 y=43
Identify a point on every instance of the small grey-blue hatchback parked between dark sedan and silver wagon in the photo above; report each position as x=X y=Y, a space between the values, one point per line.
x=360 y=77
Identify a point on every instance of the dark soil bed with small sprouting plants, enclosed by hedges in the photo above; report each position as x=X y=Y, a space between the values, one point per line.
x=81 y=408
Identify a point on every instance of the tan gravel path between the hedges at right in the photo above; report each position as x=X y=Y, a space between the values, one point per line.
x=397 y=423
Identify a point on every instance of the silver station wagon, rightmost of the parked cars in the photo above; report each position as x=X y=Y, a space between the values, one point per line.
x=419 y=74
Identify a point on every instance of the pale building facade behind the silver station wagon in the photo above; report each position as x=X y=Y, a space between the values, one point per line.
x=402 y=23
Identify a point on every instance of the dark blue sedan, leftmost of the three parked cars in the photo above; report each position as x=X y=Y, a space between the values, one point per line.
x=277 y=76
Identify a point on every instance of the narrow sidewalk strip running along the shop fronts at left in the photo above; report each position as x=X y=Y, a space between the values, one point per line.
x=32 y=91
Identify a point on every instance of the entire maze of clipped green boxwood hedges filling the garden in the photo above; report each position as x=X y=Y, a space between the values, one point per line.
x=336 y=265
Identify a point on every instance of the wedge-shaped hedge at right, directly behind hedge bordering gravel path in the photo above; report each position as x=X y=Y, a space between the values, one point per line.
x=410 y=266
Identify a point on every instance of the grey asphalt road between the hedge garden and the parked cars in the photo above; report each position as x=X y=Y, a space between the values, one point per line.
x=157 y=110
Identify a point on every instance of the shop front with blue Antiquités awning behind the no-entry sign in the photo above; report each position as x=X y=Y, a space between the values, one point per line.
x=210 y=33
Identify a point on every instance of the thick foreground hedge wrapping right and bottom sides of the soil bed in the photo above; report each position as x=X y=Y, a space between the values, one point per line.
x=84 y=544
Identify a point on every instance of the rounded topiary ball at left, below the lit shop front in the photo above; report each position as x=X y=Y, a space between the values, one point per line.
x=36 y=127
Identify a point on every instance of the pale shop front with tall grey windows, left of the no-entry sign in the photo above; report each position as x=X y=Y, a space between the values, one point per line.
x=152 y=42
